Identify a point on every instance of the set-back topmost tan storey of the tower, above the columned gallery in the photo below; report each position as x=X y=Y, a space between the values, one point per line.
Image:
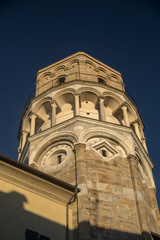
x=79 y=66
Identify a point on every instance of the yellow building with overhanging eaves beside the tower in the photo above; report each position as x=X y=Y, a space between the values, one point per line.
x=33 y=205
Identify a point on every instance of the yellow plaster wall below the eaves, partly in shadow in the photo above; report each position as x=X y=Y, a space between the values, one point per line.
x=21 y=209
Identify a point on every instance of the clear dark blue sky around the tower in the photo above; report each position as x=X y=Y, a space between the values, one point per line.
x=124 y=34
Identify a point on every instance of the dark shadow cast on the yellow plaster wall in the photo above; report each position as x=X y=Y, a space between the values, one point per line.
x=14 y=220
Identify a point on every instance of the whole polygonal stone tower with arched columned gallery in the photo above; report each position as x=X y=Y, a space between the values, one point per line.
x=83 y=128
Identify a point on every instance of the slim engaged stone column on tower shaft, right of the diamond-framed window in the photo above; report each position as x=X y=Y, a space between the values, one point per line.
x=138 y=192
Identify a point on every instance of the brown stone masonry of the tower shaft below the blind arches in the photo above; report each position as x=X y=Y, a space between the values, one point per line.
x=113 y=202
